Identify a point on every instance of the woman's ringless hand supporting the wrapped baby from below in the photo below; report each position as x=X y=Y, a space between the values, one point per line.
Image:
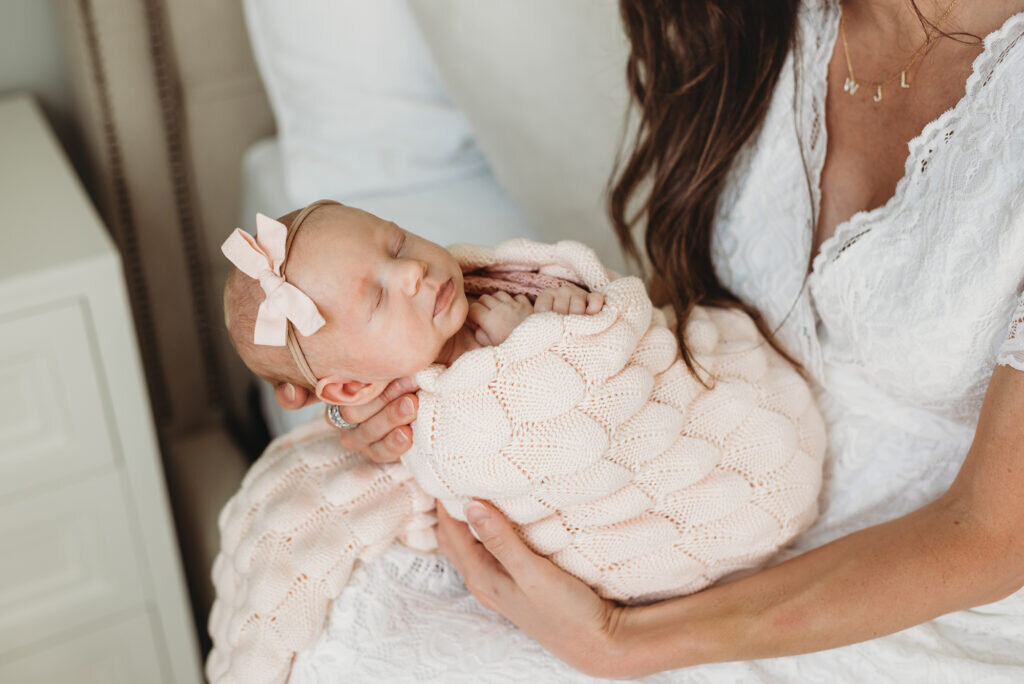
x=561 y=613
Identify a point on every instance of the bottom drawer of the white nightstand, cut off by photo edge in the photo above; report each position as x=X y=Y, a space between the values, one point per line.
x=121 y=654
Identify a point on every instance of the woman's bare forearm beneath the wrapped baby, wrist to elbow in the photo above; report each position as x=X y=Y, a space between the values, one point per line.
x=876 y=582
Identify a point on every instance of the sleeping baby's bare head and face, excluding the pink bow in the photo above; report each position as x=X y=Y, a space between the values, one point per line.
x=391 y=301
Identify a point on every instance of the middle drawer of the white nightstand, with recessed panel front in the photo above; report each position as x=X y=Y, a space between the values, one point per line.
x=68 y=561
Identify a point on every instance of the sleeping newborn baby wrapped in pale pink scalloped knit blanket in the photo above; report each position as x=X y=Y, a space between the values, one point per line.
x=576 y=416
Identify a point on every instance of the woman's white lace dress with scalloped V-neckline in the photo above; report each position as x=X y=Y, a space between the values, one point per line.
x=906 y=314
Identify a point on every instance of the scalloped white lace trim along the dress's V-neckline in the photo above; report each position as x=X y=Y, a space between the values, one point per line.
x=923 y=148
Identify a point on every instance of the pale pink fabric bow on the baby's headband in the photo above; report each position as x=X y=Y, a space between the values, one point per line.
x=262 y=260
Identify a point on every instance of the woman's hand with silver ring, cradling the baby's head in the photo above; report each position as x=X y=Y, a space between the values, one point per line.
x=383 y=435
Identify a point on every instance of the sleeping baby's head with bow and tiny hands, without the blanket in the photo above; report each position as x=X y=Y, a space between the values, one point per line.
x=375 y=304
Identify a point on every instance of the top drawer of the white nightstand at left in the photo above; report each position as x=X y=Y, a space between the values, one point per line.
x=54 y=421
